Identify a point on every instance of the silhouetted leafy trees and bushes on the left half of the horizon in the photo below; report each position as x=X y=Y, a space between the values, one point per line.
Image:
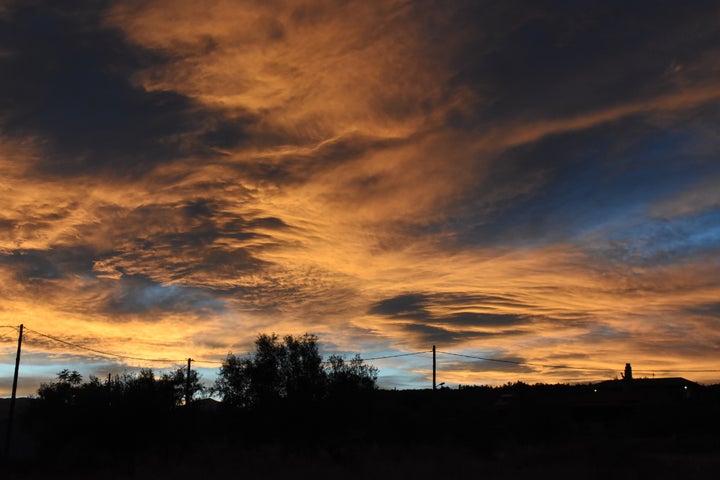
x=287 y=370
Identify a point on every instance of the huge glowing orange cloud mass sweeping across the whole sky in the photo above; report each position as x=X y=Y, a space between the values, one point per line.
x=332 y=202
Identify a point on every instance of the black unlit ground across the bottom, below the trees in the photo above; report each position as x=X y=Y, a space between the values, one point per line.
x=445 y=434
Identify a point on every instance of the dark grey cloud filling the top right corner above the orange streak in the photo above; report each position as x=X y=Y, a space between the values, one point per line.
x=542 y=59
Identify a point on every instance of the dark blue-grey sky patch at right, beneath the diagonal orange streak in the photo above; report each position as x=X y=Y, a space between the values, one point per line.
x=577 y=185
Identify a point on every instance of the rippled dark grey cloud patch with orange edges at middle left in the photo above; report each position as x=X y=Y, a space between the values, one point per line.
x=195 y=240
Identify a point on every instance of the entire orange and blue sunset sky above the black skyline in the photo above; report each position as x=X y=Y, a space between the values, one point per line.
x=530 y=181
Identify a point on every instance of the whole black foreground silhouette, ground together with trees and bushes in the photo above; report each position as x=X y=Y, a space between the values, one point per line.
x=311 y=419
